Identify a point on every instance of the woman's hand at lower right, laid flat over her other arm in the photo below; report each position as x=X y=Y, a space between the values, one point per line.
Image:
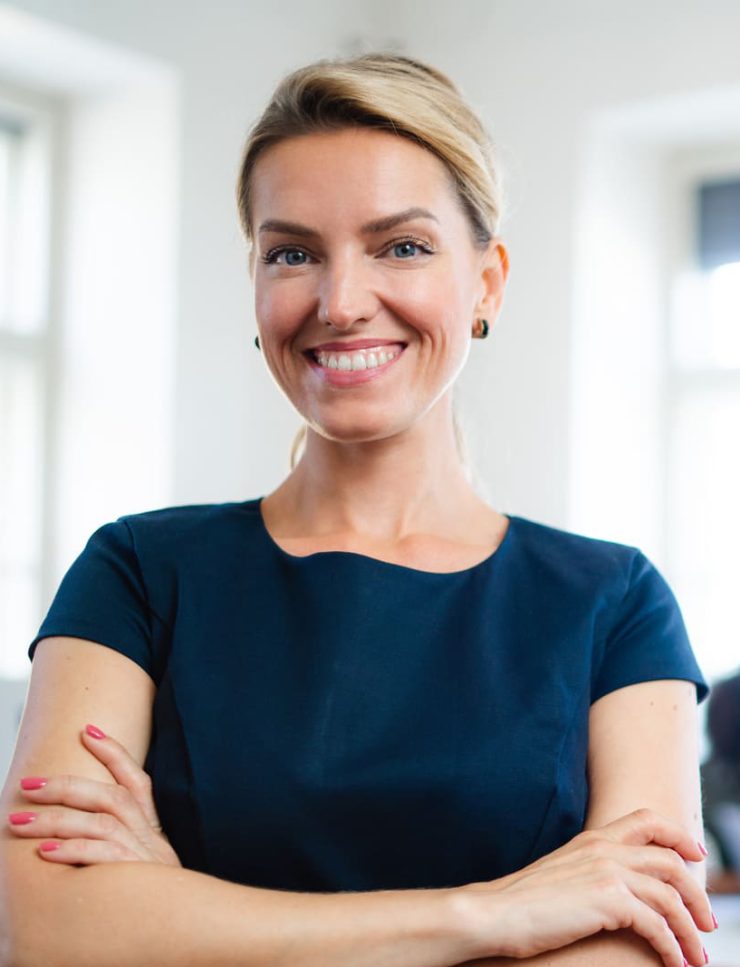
x=629 y=873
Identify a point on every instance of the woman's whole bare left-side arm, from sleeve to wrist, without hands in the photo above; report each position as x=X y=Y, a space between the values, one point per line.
x=120 y=914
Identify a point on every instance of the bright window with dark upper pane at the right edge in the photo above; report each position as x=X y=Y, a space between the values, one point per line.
x=703 y=411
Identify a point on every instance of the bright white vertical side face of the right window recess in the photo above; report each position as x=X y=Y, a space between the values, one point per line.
x=617 y=357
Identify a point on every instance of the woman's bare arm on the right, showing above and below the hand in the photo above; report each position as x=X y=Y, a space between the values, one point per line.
x=643 y=751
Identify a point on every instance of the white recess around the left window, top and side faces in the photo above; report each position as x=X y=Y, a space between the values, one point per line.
x=111 y=305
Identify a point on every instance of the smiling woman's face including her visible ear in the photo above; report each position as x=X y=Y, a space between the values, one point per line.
x=360 y=240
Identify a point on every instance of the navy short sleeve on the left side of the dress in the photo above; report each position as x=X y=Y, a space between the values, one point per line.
x=102 y=597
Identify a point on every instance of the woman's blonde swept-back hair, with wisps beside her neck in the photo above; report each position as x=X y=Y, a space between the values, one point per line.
x=393 y=93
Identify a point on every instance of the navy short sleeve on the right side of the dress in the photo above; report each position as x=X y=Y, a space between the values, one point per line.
x=647 y=640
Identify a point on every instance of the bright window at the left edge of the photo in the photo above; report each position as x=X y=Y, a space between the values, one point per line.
x=25 y=165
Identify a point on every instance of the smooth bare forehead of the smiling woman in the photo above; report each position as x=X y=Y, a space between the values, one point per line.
x=354 y=170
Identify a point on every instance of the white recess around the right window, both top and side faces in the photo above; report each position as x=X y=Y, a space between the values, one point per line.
x=636 y=236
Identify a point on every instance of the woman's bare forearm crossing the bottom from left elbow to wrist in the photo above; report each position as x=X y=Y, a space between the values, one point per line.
x=129 y=914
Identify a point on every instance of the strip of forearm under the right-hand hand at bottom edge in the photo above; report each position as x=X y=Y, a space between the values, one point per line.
x=620 y=948
